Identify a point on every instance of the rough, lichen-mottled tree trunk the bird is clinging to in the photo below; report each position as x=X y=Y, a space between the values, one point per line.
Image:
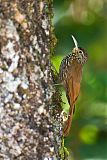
x=30 y=121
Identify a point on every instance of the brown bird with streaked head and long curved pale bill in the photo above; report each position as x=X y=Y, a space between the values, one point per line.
x=70 y=74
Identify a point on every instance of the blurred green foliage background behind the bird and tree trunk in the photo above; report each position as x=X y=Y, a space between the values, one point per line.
x=87 y=21
